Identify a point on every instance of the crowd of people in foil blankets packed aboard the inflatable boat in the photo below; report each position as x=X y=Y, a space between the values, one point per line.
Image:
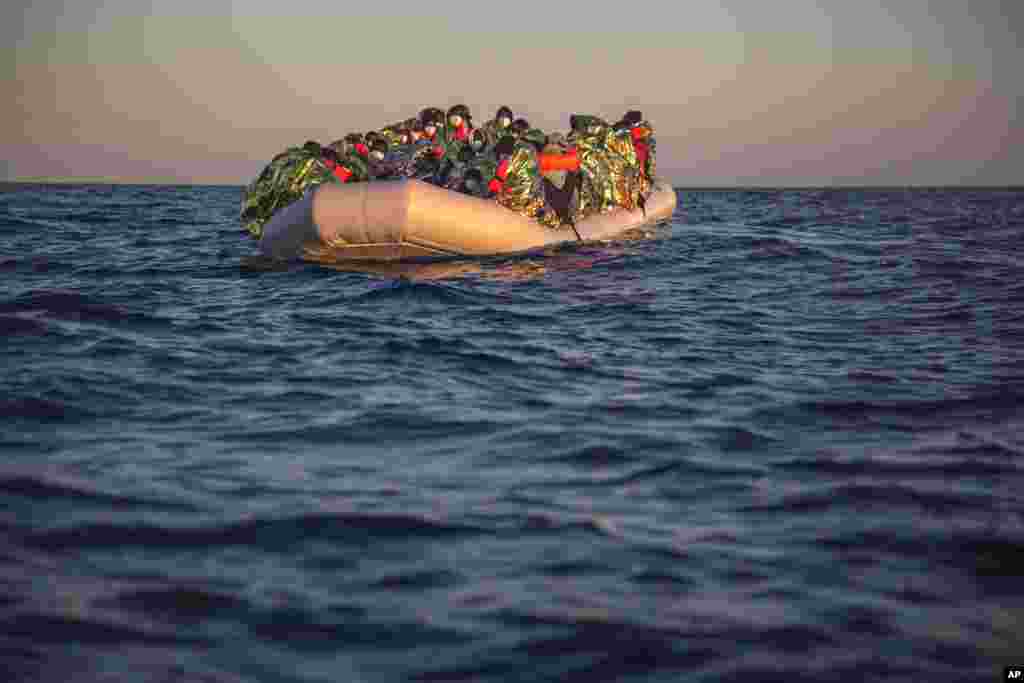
x=557 y=180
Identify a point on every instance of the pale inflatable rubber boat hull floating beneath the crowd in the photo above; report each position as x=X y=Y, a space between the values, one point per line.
x=391 y=221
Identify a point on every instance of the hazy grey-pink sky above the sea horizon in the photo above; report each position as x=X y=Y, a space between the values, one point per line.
x=741 y=93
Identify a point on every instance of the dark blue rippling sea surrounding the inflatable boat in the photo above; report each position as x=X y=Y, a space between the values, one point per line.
x=779 y=439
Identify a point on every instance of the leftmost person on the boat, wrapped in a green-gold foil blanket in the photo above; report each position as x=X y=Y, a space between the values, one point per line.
x=286 y=180
